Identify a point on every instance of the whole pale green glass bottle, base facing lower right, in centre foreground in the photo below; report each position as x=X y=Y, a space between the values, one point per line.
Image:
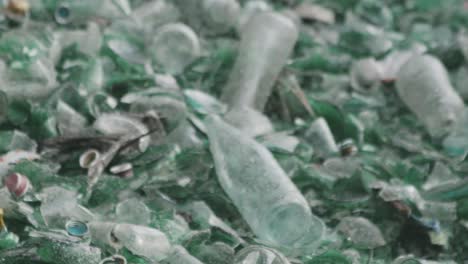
x=267 y=199
